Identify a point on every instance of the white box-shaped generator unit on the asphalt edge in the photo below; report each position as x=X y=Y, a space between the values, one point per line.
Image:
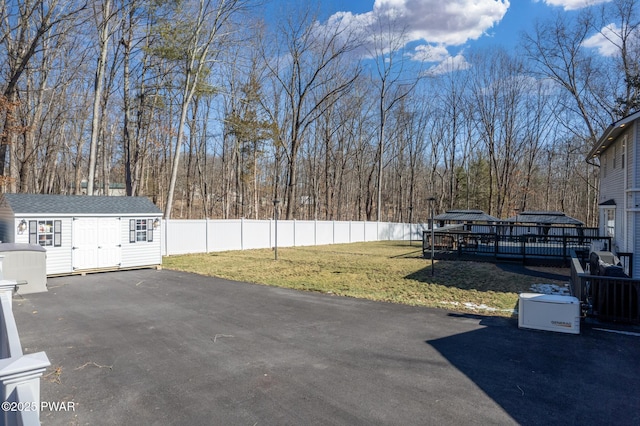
x=549 y=312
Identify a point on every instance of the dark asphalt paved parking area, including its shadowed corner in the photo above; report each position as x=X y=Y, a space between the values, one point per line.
x=154 y=347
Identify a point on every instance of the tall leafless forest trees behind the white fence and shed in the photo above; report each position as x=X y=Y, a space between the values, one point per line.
x=214 y=111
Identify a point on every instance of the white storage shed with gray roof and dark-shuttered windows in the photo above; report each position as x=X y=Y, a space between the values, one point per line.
x=84 y=233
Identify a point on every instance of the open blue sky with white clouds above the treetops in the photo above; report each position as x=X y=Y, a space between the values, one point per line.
x=445 y=29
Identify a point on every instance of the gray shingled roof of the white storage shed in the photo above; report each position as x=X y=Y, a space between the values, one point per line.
x=79 y=204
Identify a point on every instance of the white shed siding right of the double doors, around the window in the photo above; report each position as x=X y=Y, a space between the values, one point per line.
x=141 y=253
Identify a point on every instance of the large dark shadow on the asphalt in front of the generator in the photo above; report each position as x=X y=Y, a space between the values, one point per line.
x=547 y=377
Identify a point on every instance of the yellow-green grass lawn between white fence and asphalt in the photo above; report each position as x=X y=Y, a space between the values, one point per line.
x=389 y=271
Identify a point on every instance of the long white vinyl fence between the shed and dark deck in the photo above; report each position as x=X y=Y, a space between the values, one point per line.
x=181 y=236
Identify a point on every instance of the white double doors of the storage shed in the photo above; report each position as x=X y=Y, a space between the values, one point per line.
x=96 y=243
